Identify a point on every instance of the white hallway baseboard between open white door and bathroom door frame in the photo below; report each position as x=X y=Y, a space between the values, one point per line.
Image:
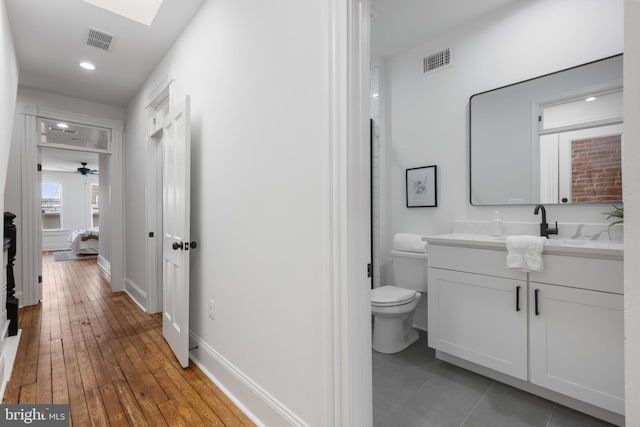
x=242 y=390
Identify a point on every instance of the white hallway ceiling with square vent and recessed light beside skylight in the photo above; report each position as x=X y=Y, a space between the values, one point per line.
x=49 y=42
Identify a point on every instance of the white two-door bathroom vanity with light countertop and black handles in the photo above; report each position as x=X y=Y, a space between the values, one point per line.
x=557 y=333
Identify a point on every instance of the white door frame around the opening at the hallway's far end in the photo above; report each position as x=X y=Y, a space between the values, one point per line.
x=31 y=241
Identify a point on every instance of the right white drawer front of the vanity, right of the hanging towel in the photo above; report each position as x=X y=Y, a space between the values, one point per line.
x=585 y=273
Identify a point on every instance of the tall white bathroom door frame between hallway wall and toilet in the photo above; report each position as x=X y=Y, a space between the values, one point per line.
x=348 y=298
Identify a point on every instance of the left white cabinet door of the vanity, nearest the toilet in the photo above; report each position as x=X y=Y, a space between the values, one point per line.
x=479 y=318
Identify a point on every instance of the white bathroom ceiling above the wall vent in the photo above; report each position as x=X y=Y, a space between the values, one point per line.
x=400 y=25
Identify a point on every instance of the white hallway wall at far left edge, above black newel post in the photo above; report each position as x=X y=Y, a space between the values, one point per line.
x=8 y=89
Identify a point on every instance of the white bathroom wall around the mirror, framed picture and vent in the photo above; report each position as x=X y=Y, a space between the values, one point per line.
x=428 y=115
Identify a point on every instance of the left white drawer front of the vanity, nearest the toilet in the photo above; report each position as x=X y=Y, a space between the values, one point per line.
x=472 y=260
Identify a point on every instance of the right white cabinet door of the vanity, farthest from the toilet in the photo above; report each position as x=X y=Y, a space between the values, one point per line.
x=576 y=345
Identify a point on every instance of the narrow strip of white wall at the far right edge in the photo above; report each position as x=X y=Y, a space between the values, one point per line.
x=631 y=179
